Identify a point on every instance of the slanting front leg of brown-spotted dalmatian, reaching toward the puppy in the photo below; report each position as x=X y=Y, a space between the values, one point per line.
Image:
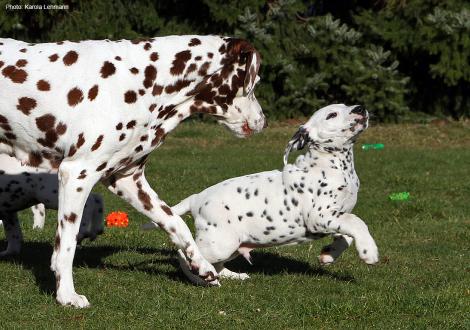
x=136 y=190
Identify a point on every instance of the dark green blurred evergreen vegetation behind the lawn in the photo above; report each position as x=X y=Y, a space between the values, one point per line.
x=406 y=60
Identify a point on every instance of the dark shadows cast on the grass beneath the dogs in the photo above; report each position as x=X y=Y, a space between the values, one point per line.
x=35 y=256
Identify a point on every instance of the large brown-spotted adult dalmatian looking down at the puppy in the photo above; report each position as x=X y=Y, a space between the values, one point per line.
x=94 y=110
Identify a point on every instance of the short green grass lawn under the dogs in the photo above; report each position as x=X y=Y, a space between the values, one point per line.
x=133 y=281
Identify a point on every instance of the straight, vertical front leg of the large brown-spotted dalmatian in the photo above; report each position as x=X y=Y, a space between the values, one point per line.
x=71 y=204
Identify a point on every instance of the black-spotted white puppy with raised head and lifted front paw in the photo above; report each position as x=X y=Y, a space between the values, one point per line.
x=307 y=200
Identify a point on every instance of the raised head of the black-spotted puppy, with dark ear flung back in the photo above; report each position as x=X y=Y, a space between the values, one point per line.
x=332 y=127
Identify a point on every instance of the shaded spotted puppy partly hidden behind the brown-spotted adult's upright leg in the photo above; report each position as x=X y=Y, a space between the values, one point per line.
x=23 y=186
